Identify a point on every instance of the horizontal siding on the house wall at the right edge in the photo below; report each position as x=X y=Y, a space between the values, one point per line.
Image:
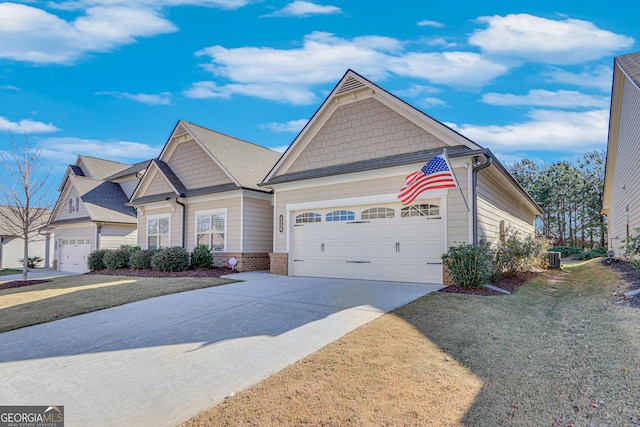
x=625 y=189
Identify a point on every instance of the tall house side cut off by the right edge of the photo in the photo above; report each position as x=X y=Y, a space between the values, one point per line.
x=621 y=201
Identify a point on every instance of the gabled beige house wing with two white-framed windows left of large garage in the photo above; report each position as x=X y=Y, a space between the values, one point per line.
x=203 y=189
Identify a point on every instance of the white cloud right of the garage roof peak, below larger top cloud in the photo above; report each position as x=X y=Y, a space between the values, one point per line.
x=449 y=68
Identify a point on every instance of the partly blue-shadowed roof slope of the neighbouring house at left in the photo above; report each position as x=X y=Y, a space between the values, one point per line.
x=105 y=201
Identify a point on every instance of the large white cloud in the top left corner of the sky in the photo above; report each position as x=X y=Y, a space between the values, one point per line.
x=34 y=35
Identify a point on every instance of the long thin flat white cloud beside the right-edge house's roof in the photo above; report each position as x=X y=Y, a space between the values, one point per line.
x=545 y=98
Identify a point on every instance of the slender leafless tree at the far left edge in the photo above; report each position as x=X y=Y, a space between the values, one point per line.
x=26 y=194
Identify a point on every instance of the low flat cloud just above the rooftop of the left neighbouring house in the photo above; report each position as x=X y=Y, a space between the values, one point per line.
x=64 y=150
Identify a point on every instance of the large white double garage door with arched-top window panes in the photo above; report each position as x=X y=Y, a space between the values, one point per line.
x=375 y=242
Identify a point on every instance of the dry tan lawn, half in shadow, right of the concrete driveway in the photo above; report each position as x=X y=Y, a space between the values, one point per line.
x=556 y=353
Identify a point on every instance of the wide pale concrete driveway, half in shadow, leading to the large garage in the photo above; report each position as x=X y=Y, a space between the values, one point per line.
x=160 y=361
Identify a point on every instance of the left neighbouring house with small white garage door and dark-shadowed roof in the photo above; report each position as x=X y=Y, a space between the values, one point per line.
x=92 y=212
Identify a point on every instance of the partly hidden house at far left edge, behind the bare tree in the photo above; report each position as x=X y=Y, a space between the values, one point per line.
x=12 y=241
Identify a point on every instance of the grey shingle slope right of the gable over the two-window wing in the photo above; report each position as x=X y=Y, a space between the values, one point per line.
x=246 y=162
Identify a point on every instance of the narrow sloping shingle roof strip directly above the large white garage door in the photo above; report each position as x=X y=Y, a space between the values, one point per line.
x=365 y=165
